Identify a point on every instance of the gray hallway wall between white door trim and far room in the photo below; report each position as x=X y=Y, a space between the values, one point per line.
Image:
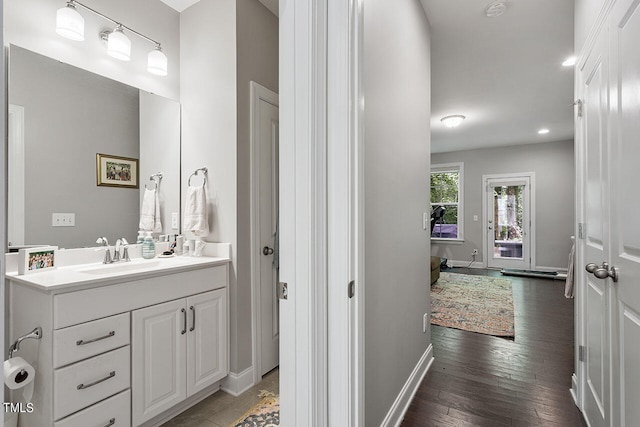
x=397 y=144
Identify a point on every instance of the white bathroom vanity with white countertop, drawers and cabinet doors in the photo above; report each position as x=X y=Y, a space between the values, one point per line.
x=123 y=344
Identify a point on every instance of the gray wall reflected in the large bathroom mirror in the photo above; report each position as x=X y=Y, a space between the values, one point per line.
x=70 y=115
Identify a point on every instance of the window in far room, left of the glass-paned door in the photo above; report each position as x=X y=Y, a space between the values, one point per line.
x=446 y=201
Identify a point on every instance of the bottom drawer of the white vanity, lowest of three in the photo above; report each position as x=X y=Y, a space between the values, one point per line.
x=115 y=411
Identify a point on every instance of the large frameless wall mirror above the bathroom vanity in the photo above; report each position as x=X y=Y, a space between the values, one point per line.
x=60 y=117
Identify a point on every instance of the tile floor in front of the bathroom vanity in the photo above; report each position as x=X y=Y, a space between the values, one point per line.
x=221 y=409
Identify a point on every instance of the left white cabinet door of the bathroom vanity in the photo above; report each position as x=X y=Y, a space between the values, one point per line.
x=158 y=359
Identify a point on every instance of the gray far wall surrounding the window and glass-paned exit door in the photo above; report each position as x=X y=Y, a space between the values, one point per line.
x=554 y=199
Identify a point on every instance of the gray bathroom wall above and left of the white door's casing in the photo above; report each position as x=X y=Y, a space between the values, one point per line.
x=257 y=60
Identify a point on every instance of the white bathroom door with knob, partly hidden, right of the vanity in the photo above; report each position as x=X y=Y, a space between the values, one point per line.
x=265 y=134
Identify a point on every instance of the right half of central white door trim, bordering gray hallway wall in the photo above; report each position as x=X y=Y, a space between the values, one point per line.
x=344 y=188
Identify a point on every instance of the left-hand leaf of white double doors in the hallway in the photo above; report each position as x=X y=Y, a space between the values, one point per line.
x=593 y=78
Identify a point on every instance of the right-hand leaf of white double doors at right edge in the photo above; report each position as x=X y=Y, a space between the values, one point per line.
x=625 y=213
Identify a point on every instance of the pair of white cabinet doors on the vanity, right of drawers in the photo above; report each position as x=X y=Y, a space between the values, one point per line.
x=178 y=350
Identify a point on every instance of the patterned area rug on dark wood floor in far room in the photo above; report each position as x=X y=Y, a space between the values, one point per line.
x=480 y=304
